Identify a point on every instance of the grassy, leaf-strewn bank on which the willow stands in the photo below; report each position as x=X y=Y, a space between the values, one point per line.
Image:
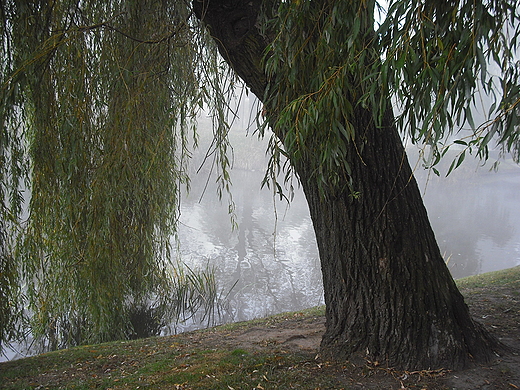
x=278 y=352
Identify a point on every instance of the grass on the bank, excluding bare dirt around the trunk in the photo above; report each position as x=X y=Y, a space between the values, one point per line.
x=185 y=362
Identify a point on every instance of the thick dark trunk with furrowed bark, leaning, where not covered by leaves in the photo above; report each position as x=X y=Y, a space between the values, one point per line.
x=389 y=295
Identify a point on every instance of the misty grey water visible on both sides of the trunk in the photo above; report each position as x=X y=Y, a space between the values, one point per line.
x=272 y=256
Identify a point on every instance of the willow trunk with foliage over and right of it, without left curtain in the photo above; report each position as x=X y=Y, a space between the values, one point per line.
x=328 y=78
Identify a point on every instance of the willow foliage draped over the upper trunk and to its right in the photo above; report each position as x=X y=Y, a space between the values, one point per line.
x=433 y=62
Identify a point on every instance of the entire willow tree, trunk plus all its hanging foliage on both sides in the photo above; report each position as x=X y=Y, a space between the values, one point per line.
x=101 y=94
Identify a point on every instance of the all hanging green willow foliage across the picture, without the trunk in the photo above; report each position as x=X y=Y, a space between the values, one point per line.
x=98 y=111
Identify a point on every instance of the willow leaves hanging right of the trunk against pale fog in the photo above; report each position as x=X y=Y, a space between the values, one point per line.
x=445 y=60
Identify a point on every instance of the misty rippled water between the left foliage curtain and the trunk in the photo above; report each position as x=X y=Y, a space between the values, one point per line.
x=271 y=259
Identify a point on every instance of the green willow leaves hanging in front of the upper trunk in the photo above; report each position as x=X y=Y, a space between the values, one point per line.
x=317 y=67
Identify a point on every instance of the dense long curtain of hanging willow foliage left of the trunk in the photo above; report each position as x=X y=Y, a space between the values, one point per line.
x=103 y=95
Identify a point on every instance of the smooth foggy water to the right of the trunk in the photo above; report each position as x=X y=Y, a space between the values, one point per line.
x=474 y=213
